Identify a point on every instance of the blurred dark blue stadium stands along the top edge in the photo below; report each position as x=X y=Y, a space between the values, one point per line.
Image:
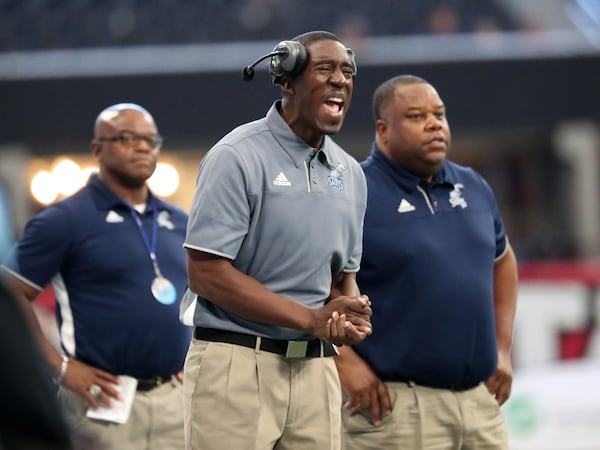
x=51 y=24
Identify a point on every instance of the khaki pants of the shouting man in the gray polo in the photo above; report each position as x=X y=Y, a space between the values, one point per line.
x=243 y=399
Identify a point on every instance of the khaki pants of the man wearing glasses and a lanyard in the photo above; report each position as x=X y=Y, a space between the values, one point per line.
x=155 y=421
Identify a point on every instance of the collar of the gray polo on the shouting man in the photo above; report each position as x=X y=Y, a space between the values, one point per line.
x=298 y=150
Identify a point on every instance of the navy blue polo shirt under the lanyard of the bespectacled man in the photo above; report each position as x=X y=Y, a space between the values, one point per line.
x=90 y=248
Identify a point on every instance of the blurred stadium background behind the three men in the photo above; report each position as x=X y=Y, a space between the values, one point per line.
x=520 y=81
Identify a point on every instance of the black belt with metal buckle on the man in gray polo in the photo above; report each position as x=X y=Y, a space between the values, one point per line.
x=290 y=349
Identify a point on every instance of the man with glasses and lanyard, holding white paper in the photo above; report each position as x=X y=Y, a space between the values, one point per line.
x=114 y=255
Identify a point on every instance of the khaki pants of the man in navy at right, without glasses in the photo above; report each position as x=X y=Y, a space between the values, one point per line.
x=430 y=419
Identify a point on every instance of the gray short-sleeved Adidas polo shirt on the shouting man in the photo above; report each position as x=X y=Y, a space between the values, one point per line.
x=285 y=214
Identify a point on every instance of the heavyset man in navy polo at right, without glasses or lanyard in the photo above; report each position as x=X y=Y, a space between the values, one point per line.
x=442 y=277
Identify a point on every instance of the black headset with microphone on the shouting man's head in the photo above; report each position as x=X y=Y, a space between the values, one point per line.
x=288 y=58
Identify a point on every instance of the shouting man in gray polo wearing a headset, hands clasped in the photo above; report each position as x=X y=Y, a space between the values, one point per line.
x=273 y=244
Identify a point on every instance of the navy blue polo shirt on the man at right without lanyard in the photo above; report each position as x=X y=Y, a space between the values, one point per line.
x=428 y=266
